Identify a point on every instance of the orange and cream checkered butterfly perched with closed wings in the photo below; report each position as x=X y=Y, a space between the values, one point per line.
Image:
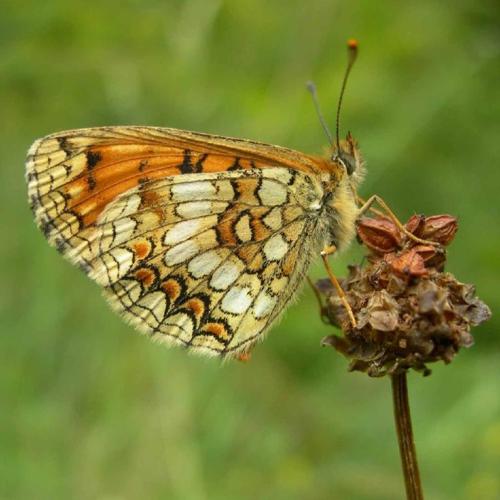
x=197 y=240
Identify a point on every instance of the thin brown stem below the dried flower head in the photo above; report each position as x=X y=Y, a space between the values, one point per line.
x=405 y=437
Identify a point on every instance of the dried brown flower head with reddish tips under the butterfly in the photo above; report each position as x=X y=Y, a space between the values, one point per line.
x=409 y=312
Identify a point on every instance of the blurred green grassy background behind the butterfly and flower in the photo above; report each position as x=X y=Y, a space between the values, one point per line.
x=89 y=409
